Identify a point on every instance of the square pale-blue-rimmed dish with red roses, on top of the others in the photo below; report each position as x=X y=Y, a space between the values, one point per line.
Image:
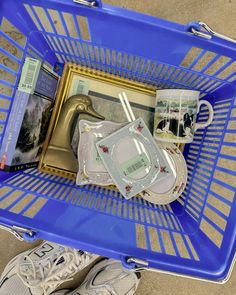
x=133 y=159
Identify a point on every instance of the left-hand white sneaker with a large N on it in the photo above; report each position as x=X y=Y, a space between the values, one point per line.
x=41 y=270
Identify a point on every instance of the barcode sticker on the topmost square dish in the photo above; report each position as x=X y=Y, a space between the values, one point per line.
x=135 y=165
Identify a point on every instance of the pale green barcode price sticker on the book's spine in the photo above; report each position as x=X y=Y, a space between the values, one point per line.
x=29 y=75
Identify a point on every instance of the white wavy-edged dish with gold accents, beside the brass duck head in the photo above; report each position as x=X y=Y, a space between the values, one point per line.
x=91 y=168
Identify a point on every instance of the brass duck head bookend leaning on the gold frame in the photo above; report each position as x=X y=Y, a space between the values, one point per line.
x=59 y=153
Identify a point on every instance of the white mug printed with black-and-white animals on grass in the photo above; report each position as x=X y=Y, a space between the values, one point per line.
x=175 y=115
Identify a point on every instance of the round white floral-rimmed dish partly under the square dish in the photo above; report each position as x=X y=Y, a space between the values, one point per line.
x=169 y=189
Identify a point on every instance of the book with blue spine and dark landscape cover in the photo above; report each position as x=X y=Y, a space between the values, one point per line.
x=29 y=117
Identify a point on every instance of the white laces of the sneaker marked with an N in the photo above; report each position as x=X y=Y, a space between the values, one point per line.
x=48 y=277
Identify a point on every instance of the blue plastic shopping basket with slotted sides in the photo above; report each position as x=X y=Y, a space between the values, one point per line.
x=193 y=236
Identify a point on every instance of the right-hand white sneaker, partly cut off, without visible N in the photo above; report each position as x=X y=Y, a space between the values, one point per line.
x=107 y=277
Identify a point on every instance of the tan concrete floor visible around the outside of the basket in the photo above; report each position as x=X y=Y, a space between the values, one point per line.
x=220 y=15
